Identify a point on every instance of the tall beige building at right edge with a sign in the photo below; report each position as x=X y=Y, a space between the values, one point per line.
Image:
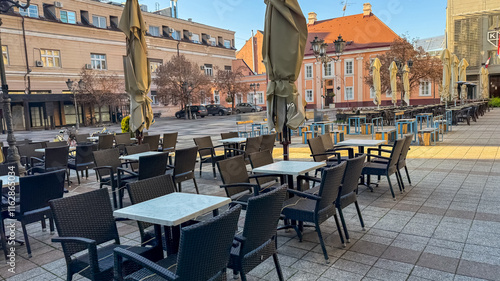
x=472 y=29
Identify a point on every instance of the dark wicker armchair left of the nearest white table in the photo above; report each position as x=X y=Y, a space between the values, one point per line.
x=84 y=222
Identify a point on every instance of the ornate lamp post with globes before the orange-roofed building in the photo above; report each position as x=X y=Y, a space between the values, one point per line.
x=320 y=52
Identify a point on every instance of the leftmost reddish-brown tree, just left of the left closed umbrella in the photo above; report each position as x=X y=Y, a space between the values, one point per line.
x=99 y=88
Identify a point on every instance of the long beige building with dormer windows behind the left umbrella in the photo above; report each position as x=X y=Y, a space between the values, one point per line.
x=64 y=36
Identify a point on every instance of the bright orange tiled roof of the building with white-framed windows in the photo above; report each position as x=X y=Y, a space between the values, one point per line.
x=363 y=31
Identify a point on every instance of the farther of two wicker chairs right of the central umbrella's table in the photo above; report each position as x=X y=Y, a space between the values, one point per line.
x=347 y=193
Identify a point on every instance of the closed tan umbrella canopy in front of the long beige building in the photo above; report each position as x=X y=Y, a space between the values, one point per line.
x=137 y=72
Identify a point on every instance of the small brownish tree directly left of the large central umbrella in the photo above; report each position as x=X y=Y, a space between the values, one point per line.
x=229 y=83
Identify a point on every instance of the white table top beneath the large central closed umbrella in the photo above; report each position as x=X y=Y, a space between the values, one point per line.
x=293 y=168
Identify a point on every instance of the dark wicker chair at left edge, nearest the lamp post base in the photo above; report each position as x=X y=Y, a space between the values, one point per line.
x=35 y=193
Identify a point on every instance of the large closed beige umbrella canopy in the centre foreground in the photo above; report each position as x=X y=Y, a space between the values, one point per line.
x=285 y=37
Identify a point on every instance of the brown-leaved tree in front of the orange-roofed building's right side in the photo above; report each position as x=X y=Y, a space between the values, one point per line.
x=425 y=67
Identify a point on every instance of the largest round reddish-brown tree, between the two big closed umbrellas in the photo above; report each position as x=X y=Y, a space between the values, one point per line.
x=180 y=81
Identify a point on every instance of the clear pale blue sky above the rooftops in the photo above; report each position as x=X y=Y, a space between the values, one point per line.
x=417 y=18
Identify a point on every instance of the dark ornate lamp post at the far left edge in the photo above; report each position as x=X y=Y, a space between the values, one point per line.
x=13 y=154
